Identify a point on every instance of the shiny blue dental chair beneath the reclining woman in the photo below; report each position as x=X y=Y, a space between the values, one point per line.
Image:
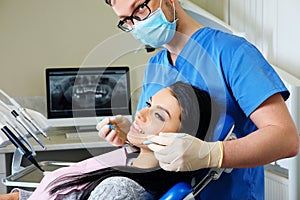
x=183 y=190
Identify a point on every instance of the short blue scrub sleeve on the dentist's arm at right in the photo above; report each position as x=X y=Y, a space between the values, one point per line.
x=251 y=78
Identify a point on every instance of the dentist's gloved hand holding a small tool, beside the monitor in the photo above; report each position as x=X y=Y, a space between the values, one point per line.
x=118 y=135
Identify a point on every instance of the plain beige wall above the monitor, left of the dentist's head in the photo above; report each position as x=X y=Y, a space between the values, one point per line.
x=35 y=34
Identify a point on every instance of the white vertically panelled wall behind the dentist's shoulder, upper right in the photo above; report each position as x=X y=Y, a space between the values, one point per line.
x=273 y=26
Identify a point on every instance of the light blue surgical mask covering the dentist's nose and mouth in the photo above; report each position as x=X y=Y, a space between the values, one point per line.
x=156 y=30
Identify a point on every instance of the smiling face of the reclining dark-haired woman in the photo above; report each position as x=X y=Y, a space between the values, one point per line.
x=161 y=115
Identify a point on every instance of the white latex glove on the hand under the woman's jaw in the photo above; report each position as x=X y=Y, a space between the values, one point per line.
x=185 y=153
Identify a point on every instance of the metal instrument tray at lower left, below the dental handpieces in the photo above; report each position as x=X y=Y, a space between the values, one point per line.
x=30 y=176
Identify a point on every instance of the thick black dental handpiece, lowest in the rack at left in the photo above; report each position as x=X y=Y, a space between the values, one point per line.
x=19 y=145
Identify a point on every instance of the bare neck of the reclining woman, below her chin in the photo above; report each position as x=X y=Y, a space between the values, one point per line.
x=145 y=159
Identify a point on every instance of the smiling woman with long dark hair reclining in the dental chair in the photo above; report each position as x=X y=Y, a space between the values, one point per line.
x=178 y=108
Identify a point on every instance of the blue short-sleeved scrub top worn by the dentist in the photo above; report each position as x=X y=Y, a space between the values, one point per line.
x=238 y=79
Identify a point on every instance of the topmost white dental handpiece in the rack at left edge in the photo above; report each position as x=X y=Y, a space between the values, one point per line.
x=24 y=113
